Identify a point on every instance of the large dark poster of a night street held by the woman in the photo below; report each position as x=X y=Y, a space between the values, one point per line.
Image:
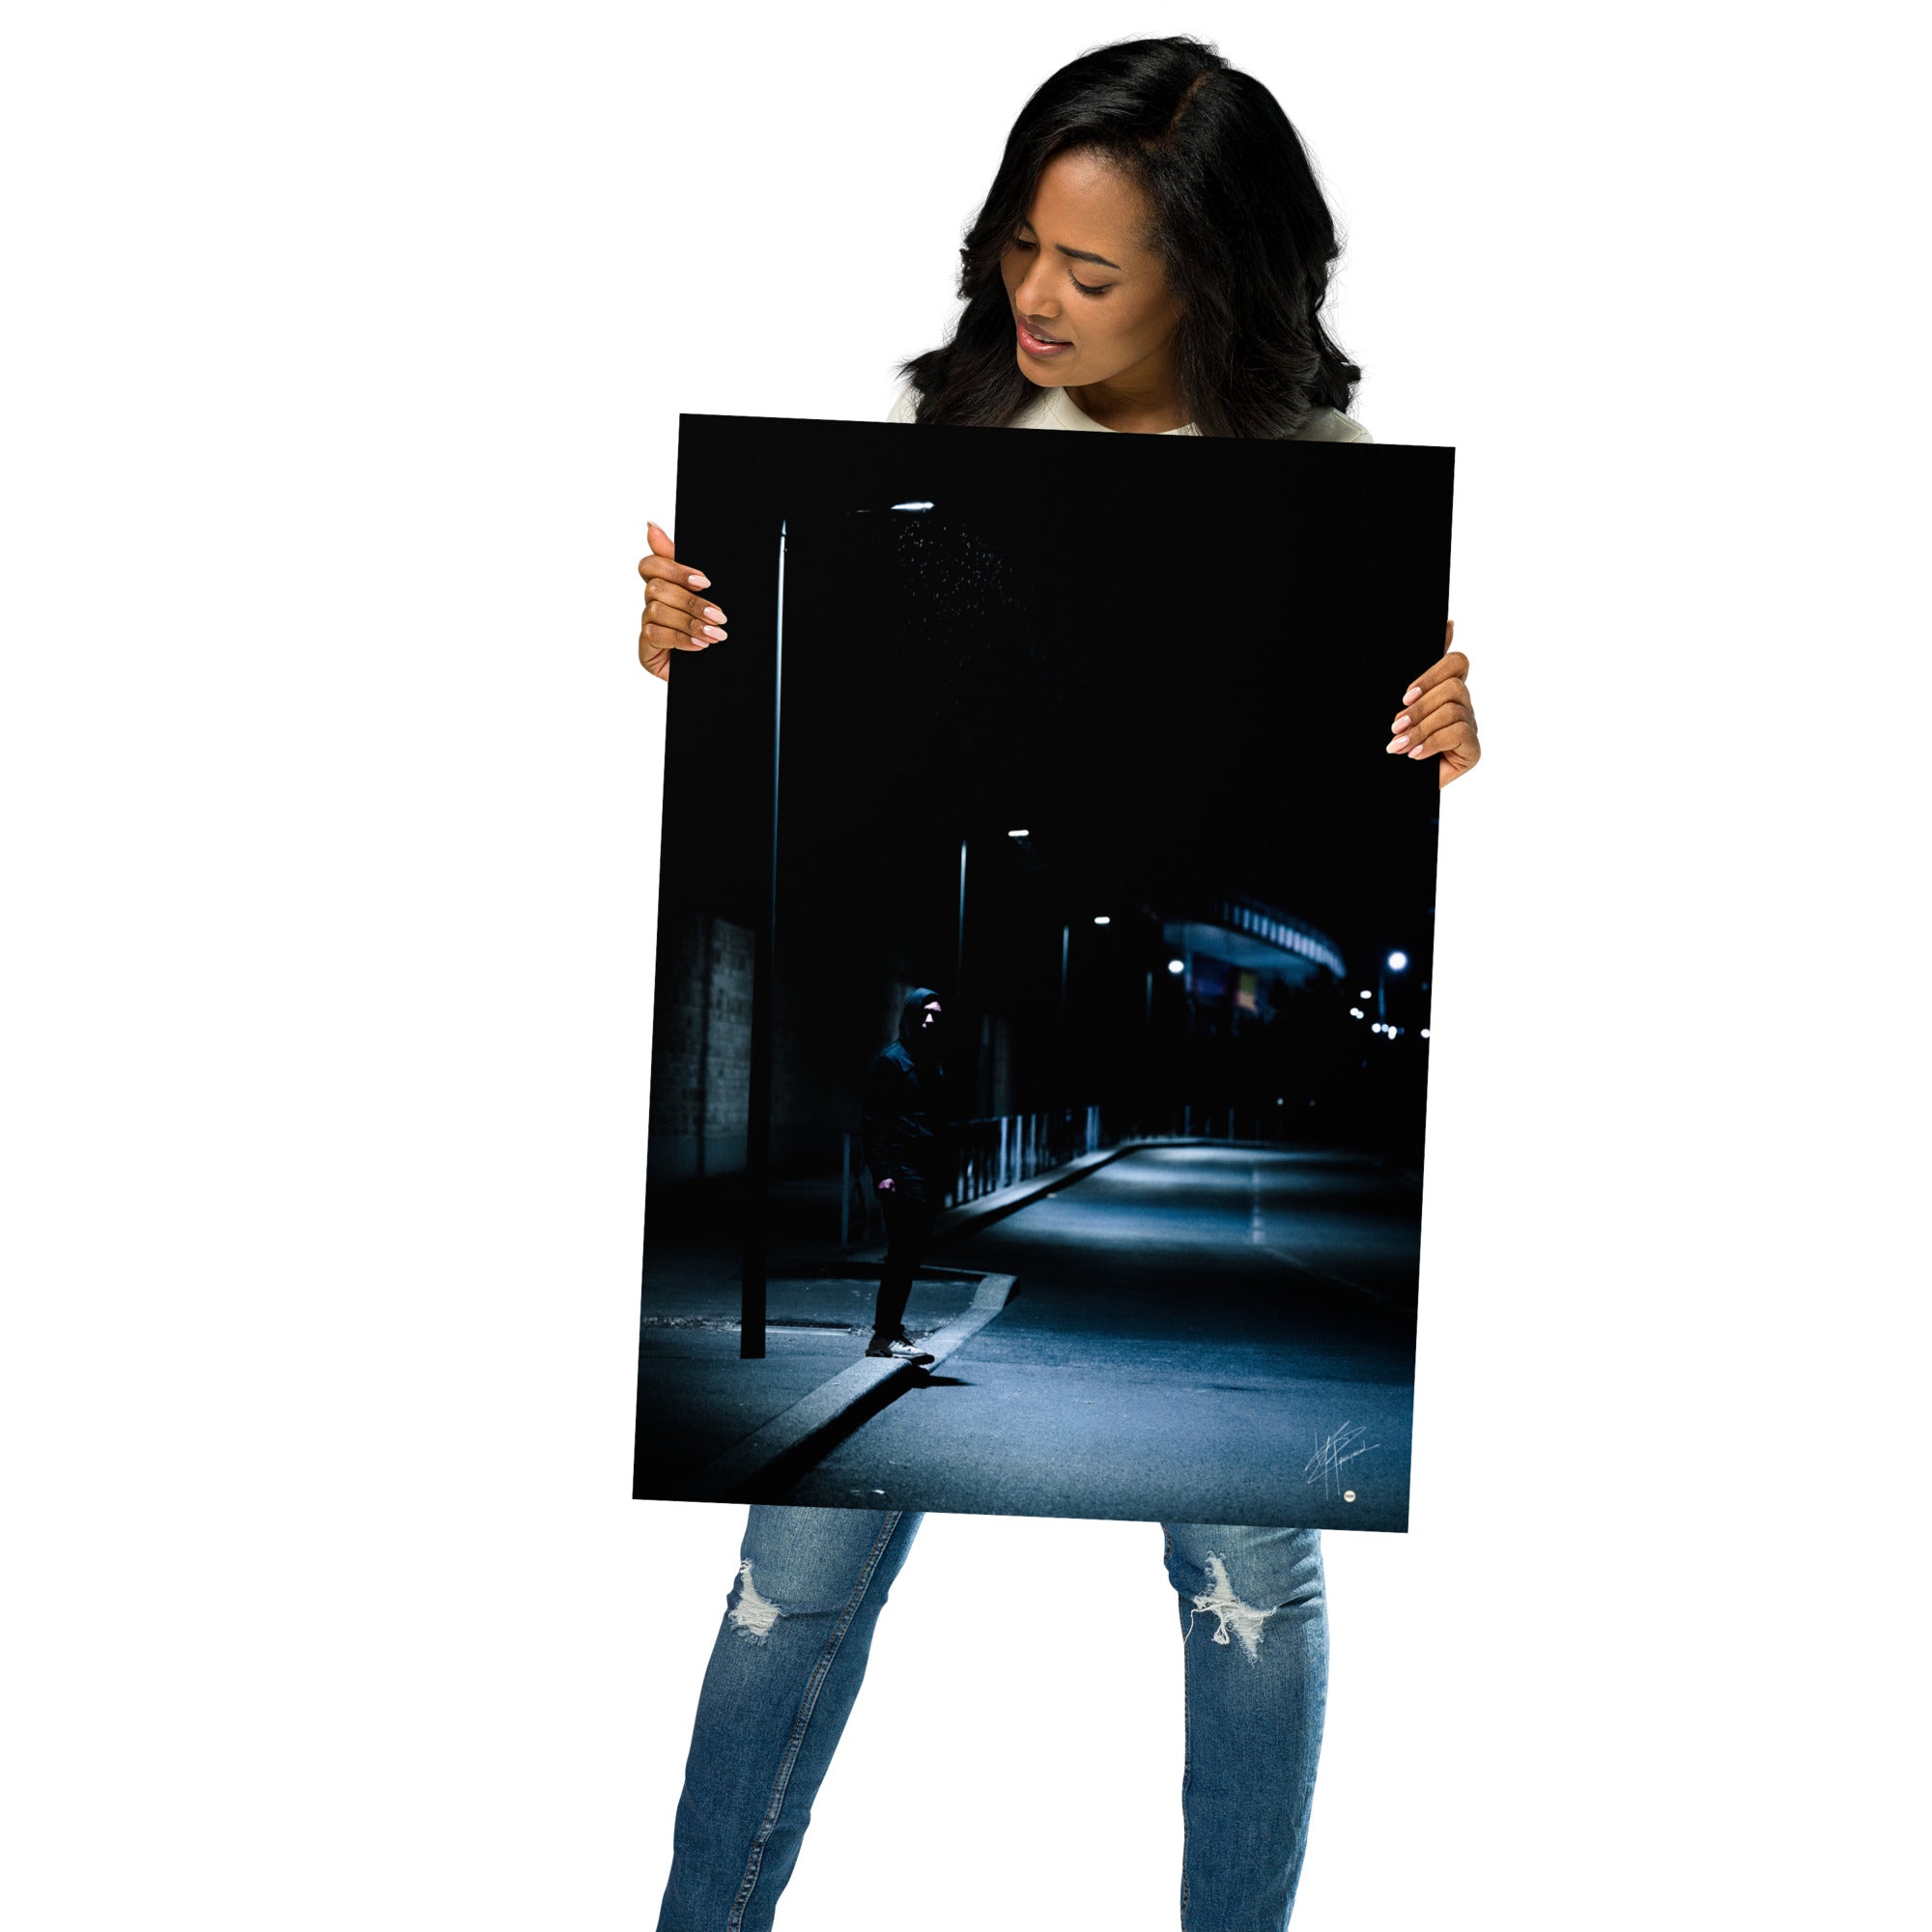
x=1042 y=994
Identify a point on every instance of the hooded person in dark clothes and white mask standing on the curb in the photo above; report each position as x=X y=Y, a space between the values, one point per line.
x=911 y=1149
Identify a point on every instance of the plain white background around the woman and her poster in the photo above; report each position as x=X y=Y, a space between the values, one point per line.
x=347 y=349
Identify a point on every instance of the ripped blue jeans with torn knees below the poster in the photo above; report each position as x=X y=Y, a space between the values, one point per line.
x=791 y=1655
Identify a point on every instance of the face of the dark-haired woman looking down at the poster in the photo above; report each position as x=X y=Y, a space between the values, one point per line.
x=1091 y=302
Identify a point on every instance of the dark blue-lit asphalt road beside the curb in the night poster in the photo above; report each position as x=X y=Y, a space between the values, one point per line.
x=1201 y=1334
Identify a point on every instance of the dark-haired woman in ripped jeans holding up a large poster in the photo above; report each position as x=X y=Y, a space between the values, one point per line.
x=1152 y=258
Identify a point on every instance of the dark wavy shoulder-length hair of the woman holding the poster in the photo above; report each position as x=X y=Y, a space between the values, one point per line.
x=1239 y=225
